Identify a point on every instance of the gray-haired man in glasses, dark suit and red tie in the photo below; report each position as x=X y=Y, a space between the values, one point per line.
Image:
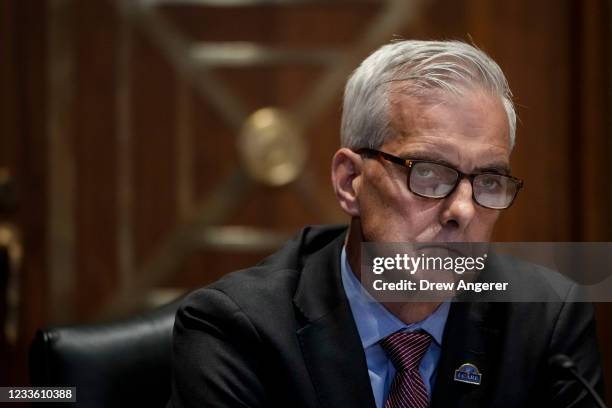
x=427 y=132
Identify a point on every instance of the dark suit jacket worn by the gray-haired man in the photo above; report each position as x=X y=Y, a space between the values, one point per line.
x=281 y=334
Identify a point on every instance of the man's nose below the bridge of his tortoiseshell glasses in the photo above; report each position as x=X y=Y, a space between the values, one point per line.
x=459 y=208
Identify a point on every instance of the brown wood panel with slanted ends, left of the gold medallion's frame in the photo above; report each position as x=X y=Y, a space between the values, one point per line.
x=153 y=106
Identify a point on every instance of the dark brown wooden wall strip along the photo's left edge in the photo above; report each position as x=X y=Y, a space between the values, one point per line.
x=23 y=150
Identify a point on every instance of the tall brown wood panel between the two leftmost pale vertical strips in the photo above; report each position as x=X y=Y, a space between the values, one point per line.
x=95 y=150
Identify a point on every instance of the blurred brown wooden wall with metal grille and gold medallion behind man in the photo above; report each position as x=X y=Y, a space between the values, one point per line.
x=148 y=147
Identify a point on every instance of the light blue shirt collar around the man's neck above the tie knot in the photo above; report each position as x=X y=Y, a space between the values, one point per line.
x=374 y=322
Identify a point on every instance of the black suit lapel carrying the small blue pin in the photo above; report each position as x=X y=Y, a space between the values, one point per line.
x=471 y=336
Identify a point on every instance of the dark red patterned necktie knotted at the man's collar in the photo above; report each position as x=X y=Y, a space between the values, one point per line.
x=406 y=349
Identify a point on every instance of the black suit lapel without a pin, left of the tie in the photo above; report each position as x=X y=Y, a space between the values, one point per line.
x=328 y=338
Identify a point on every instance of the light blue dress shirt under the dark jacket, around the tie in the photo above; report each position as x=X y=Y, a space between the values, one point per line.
x=374 y=323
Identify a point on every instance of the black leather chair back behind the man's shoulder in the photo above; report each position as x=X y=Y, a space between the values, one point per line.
x=118 y=364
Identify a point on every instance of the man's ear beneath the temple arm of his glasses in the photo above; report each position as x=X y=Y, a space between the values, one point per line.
x=346 y=171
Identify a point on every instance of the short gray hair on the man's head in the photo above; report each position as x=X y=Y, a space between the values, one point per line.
x=424 y=66
